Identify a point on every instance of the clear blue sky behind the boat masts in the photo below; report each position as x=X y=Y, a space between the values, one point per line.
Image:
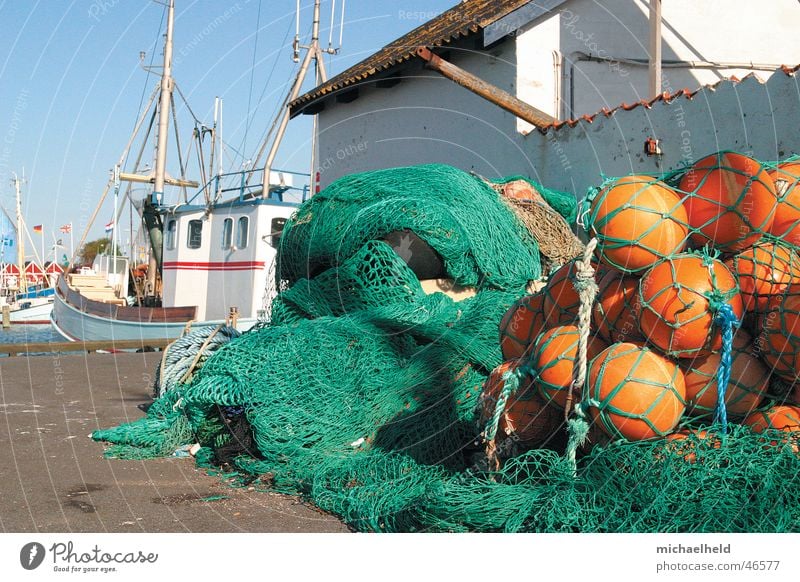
x=71 y=84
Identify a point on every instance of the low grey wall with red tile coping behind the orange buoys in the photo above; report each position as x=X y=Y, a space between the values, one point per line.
x=749 y=117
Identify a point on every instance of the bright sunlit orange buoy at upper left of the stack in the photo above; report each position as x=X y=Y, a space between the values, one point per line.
x=638 y=221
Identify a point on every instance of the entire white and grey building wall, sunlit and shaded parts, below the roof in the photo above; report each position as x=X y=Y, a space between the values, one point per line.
x=427 y=118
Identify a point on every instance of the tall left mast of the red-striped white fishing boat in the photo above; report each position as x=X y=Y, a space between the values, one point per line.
x=150 y=213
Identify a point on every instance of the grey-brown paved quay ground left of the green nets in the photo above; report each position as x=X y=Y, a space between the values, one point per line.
x=54 y=478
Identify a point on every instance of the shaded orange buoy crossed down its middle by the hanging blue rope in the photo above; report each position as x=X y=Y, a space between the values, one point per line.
x=749 y=381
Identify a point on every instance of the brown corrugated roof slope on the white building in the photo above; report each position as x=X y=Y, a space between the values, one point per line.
x=461 y=20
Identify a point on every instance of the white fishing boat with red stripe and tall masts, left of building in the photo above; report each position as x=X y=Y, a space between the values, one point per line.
x=212 y=255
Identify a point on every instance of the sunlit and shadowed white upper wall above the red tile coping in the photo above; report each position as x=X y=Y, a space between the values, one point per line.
x=732 y=33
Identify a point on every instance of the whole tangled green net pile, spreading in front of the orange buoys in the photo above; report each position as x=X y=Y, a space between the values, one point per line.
x=362 y=392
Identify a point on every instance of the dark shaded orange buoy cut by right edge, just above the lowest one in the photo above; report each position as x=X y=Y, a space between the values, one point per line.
x=779 y=341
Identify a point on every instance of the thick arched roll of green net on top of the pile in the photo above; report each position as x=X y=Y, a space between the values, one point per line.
x=456 y=213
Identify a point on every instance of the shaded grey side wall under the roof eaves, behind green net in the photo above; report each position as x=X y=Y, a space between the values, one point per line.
x=423 y=119
